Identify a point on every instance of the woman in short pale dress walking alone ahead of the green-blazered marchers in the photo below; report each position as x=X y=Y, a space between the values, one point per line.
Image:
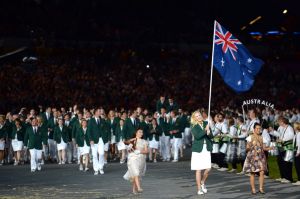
x=137 y=149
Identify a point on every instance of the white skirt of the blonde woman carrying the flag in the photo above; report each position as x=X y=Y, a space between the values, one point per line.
x=202 y=160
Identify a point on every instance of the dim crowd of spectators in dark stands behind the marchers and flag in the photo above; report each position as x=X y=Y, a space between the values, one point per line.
x=120 y=77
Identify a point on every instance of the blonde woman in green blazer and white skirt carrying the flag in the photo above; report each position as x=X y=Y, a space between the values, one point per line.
x=201 y=150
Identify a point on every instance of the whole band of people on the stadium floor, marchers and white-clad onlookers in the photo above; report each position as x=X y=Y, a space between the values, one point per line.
x=87 y=136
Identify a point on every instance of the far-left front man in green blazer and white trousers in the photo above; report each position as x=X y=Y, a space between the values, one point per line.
x=33 y=140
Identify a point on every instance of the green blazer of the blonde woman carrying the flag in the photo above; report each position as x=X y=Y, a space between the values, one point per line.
x=199 y=137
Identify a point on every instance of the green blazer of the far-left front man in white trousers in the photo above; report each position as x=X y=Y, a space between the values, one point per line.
x=34 y=140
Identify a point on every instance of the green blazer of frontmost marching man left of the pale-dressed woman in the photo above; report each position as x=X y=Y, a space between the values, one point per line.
x=96 y=131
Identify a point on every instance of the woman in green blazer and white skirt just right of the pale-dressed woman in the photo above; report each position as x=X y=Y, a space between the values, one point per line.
x=154 y=133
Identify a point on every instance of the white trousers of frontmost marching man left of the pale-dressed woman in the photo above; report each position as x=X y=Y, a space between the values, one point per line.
x=98 y=155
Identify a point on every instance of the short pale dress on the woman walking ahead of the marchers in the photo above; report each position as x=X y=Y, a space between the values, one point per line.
x=136 y=162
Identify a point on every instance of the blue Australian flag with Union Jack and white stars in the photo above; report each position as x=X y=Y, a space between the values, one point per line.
x=233 y=61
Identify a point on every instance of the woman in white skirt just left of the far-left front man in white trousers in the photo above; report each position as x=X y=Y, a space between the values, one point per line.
x=17 y=140
